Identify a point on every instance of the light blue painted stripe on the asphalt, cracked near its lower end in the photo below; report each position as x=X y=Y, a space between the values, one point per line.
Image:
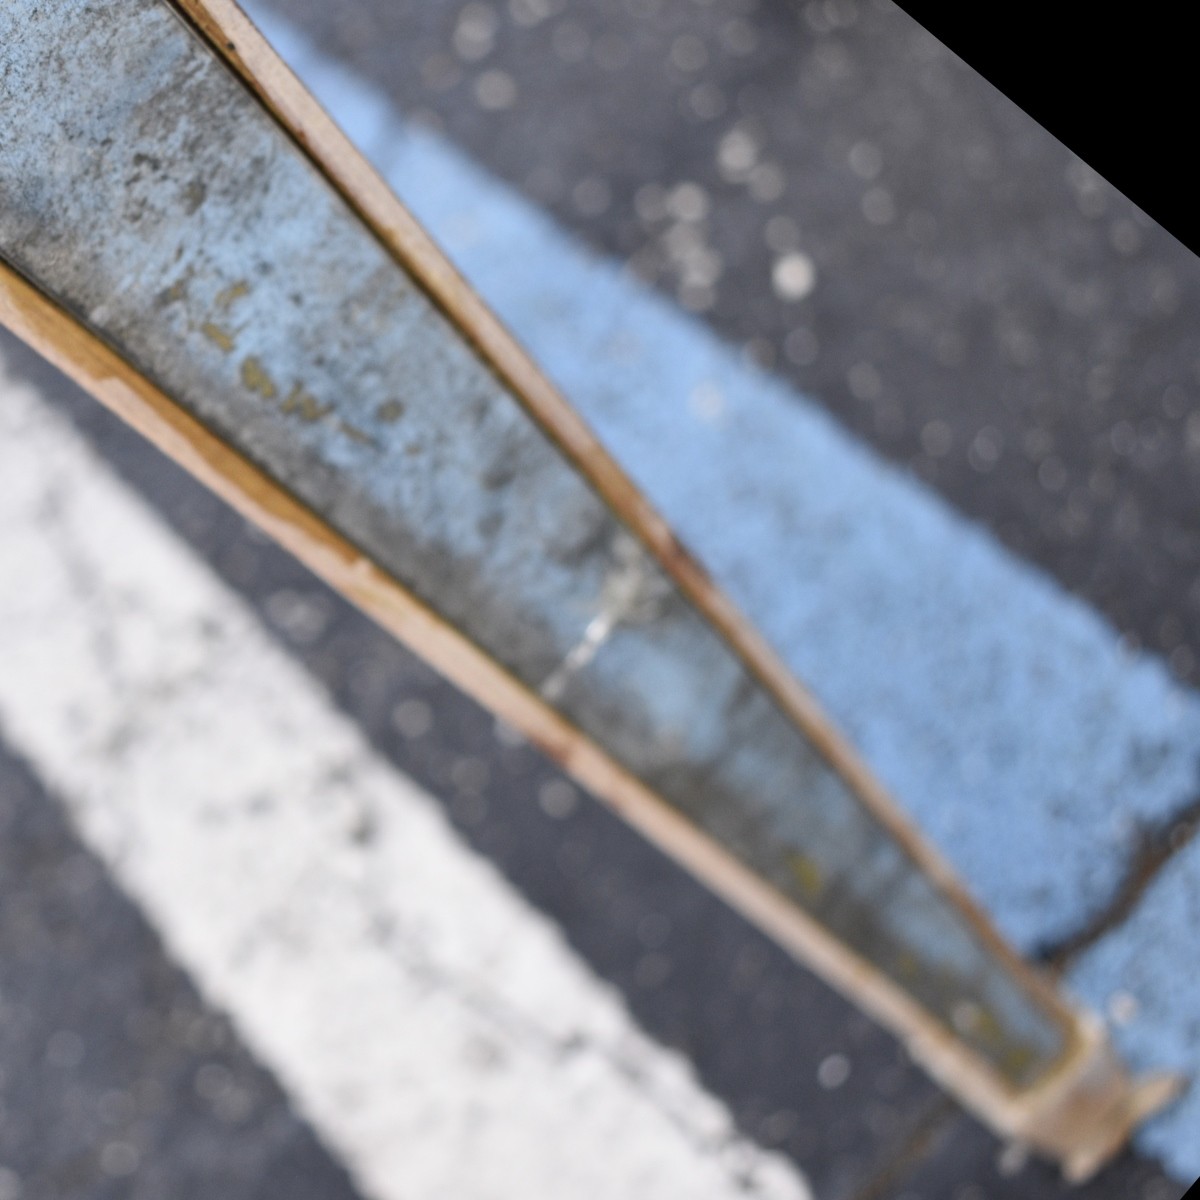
x=1004 y=713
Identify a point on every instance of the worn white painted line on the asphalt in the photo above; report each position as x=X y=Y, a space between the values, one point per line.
x=434 y=1028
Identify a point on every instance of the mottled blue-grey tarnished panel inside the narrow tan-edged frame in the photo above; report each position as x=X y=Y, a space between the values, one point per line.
x=155 y=199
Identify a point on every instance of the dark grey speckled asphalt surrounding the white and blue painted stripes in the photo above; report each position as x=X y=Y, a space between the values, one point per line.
x=827 y=189
